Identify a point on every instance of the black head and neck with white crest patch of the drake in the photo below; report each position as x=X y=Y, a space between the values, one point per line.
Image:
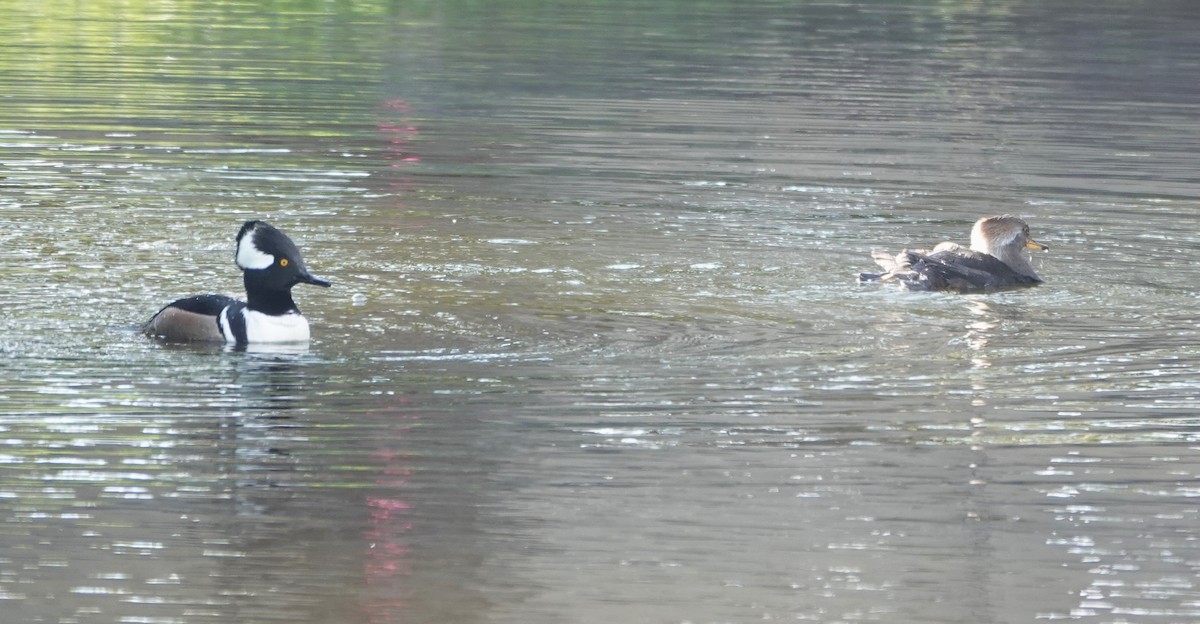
x=271 y=265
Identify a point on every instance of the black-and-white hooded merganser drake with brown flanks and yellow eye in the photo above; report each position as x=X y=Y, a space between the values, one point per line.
x=271 y=266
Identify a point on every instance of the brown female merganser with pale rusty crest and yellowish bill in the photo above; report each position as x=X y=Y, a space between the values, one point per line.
x=997 y=260
